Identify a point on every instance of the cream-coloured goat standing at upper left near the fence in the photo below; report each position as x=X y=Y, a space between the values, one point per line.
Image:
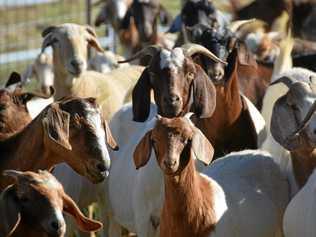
x=69 y=42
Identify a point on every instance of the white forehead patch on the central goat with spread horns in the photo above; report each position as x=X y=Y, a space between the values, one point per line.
x=172 y=60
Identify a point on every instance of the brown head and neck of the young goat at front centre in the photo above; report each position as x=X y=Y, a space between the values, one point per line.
x=188 y=208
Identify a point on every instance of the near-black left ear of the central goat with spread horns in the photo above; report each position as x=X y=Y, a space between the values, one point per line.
x=141 y=97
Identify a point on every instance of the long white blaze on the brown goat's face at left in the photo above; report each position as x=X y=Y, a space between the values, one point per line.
x=95 y=120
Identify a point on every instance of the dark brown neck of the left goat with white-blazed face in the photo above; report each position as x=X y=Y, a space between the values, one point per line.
x=25 y=151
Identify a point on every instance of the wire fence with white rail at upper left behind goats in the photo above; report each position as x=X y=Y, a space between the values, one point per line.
x=21 y=24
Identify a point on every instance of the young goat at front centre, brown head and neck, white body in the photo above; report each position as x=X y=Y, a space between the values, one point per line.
x=208 y=203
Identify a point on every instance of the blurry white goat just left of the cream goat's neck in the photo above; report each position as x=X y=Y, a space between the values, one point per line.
x=42 y=71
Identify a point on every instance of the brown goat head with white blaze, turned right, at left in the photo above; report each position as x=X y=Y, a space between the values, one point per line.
x=76 y=124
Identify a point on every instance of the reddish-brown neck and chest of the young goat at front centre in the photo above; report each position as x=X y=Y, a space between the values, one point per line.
x=188 y=203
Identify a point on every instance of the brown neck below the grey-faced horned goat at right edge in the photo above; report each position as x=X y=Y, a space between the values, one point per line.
x=304 y=162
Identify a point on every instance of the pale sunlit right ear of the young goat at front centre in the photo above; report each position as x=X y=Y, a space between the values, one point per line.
x=202 y=149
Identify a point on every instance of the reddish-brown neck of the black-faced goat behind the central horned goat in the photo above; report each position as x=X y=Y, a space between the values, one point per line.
x=228 y=119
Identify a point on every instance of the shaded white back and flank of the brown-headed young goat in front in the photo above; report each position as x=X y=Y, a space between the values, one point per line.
x=256 y=194
